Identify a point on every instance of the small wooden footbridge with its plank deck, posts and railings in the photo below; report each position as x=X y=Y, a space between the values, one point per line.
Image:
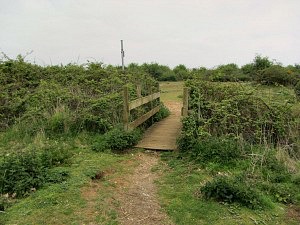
x=161 y=135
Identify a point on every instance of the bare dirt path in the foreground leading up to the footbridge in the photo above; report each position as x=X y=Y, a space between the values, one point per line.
x=138 y=194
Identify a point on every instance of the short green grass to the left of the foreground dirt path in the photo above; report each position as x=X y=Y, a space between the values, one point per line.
x=64 y=203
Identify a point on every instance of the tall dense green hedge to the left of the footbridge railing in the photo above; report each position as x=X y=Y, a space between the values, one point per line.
x=68 y=98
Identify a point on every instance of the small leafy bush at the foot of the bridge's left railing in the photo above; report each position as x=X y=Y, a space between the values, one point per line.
x=116 y=139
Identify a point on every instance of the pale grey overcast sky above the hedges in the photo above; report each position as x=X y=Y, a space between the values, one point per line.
x=191 y=32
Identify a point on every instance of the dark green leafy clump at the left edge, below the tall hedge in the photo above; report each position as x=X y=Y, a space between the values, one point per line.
x=23 y=171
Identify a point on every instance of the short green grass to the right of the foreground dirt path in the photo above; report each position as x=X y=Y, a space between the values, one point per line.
x=179 y=195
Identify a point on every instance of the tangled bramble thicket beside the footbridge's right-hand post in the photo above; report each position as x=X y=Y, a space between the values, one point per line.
x=231 y=110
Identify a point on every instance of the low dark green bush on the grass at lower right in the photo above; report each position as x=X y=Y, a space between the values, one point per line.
x=226 y=189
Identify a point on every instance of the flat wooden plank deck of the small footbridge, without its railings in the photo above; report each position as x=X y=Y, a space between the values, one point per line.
x=163 y=134
